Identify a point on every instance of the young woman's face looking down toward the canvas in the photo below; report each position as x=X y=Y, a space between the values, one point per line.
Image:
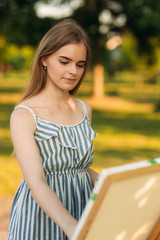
x=66 y=66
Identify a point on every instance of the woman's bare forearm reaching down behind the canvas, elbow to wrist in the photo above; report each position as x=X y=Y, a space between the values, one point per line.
x=53 y=207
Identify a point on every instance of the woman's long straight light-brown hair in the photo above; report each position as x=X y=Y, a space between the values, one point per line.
x=63 y=33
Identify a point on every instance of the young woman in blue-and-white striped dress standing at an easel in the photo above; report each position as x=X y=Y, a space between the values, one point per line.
x=52 y=138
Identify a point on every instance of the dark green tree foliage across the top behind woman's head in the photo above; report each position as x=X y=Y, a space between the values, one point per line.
x=102 y=20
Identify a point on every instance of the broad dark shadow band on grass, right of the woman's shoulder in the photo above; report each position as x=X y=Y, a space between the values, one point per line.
x=126 y=122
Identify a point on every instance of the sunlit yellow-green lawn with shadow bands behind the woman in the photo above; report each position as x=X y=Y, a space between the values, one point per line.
x=125 y=120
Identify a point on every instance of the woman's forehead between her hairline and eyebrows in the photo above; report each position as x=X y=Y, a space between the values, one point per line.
x=73 y=51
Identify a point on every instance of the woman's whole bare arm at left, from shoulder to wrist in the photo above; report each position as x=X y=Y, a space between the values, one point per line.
x=22 y=133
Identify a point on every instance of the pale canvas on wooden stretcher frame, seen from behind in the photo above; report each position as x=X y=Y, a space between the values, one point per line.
x=124 y=205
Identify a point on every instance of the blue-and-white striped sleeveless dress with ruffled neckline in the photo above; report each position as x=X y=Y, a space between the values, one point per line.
x=66 y=151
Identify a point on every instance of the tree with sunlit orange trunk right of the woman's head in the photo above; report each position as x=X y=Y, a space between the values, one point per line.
x=99 y=22
